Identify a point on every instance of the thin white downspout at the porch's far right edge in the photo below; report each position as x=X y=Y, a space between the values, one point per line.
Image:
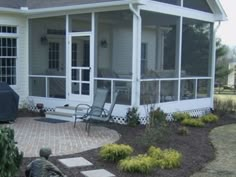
x=214 y=63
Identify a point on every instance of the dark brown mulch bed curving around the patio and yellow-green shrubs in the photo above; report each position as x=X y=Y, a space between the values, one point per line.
x=196 y=149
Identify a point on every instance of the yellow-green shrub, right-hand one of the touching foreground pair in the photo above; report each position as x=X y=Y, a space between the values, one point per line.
x=168 y=158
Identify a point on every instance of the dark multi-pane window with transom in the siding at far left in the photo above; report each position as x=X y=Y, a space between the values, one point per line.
x=8 y=57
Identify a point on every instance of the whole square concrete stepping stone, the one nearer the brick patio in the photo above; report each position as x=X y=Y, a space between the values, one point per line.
x=75 y=162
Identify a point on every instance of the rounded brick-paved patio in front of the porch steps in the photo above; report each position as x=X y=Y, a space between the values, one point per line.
x=62 y=138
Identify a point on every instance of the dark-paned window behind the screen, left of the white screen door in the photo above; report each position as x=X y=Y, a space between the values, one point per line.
x=53 y=55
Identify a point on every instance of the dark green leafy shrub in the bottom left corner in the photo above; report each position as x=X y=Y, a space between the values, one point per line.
x=10 y=158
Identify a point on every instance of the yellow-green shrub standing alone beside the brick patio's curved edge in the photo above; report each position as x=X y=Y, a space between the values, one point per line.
x=115 y=152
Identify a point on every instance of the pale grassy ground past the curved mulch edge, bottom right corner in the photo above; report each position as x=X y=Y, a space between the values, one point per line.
x=224 y=141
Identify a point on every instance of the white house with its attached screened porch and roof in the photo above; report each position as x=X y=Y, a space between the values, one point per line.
x=160 y=52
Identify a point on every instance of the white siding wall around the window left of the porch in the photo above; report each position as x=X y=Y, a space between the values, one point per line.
x=21 y=37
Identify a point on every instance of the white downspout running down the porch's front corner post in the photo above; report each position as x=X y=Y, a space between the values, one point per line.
x=136 y=55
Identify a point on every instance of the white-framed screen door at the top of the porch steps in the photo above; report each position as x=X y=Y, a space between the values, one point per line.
x=80 y=67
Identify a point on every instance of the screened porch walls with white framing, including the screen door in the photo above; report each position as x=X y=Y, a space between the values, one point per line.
x=70 y=56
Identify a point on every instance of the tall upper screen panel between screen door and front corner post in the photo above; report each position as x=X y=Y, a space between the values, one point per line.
x=114 y=44
